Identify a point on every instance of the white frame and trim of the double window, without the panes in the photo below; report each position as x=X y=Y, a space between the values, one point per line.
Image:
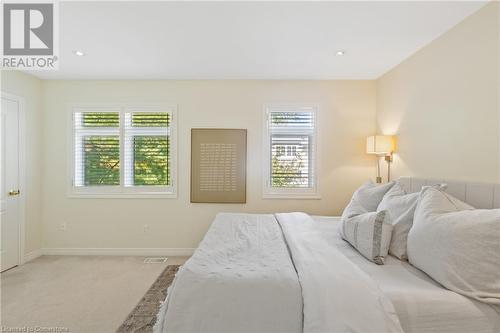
x=122 y=191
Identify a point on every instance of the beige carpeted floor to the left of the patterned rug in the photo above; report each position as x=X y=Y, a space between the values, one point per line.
x=85 y=294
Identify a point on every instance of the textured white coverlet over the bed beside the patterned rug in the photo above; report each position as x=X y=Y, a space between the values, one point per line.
x=240 y=279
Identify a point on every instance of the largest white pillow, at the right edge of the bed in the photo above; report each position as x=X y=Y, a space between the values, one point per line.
x=457 y=245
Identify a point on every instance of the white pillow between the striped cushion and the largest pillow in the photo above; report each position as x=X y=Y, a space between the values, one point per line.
x=400 y=209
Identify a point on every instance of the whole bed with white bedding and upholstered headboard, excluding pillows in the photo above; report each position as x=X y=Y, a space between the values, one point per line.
x=294 y=273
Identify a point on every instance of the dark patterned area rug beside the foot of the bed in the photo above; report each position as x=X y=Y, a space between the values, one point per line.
x=143 y=316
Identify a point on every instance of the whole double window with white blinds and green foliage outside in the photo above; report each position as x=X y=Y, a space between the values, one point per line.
x=123 y=151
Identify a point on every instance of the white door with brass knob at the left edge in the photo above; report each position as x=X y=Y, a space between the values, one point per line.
x=9 y=183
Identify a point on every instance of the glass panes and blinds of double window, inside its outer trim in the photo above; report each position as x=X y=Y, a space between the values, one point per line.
x=146 y=149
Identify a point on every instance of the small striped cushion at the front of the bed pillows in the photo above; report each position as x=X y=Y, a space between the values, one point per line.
x=369 y=234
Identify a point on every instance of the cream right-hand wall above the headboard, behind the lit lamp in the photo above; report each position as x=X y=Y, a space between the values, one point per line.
x=443 y=102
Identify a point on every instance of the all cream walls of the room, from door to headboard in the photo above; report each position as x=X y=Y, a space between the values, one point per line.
x=443 y=102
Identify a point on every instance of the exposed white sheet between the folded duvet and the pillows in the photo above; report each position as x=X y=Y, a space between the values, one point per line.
x=421 y=303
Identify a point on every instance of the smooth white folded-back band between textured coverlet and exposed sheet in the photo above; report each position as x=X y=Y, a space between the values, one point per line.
x=338 y=296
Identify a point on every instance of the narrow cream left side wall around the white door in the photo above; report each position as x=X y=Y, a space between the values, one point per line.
x=29 y=88
